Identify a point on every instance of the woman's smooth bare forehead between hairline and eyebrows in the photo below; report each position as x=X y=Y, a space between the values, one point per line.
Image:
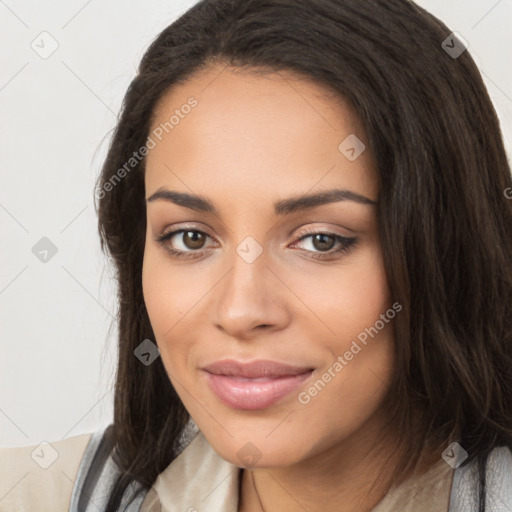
x=268 y=133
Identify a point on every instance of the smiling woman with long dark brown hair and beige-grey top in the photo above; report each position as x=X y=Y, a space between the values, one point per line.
x=306 y=205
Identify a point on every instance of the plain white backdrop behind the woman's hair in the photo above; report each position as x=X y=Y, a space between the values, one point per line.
x=58 y=333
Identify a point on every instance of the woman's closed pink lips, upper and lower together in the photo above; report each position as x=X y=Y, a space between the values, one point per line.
x=254 y=385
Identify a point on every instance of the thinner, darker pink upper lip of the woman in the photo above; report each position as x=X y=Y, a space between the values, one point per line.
x=254 y=369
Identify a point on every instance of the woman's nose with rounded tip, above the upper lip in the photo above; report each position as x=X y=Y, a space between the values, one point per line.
x=250 y=299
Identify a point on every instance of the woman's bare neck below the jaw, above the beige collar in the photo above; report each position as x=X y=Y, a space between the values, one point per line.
x=353 y=476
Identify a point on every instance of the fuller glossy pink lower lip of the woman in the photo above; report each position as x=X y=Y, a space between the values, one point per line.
x=252 y=394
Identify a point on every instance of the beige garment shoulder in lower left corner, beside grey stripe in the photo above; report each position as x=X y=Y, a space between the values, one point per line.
x=42 y=476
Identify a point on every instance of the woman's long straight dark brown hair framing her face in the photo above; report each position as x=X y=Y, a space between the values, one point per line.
x=445 y=223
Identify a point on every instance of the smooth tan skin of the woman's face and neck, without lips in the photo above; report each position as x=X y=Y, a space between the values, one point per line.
x=252 y=140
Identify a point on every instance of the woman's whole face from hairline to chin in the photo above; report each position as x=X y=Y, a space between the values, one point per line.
x=298 y=289
